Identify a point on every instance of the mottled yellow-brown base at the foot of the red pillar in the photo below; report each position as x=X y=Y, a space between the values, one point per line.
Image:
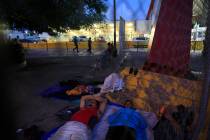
x=149 y=91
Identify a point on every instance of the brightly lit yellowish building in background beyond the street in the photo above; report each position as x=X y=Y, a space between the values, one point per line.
x=106 y=30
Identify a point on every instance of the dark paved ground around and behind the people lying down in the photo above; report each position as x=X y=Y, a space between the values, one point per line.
x=44 y=69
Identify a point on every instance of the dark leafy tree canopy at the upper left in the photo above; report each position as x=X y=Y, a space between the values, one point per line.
x=52 y=15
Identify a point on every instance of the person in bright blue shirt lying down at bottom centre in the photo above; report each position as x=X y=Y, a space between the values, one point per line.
x=131 y=124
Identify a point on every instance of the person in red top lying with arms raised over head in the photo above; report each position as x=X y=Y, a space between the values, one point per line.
x=82 y=122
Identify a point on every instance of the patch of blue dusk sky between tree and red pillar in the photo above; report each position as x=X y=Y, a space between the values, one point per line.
x=128 y=9
